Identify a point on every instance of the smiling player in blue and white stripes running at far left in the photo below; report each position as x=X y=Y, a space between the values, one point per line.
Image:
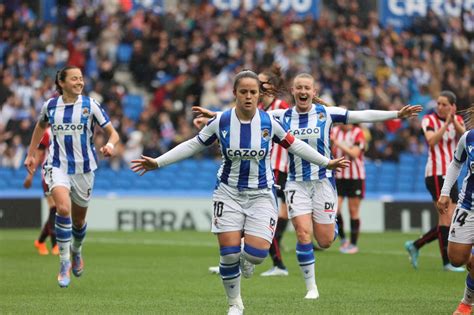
x=69 y=172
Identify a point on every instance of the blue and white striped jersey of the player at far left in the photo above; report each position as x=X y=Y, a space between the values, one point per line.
x=72 y=130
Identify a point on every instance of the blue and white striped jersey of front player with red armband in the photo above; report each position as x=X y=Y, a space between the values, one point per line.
x=245 y=147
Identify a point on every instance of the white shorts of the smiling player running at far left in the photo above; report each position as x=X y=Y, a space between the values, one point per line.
x=79 y=185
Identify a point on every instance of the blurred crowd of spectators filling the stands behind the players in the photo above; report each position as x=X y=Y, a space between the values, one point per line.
x=188 y=55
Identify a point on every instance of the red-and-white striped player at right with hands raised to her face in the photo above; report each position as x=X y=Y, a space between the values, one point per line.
x=441 y=129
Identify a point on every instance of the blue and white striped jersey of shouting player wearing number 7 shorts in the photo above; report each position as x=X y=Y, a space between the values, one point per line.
x=314 y=128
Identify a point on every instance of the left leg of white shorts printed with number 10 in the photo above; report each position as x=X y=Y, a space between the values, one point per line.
x=227 y=214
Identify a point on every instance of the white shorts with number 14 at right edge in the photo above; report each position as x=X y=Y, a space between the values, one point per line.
x=462 y=227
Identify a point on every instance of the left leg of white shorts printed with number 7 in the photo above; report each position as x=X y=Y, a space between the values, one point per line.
x=298 y=198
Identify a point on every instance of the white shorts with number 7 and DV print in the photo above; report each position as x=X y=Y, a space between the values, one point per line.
x=318 y=197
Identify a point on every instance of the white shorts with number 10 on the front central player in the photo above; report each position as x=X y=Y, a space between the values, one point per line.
x=253 y=211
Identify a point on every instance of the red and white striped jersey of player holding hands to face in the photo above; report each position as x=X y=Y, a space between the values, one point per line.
x=441 y=154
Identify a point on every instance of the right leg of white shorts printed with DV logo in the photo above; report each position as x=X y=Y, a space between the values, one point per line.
x=324 y=202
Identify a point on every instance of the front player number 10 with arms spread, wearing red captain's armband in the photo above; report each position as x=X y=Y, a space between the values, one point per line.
x=244 y=199
